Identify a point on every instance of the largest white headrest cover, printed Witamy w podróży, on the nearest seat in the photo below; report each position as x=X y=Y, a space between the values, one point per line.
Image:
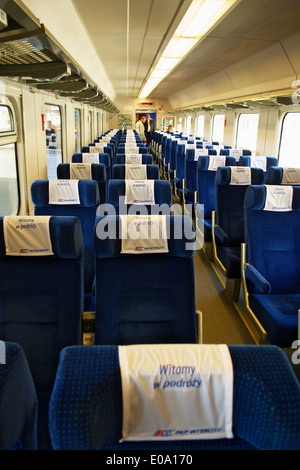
x=176 y=391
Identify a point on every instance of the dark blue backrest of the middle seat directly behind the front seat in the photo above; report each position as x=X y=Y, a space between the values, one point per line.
x=144 y=296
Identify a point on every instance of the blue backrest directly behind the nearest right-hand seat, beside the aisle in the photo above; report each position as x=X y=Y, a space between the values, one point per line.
x=229 y=202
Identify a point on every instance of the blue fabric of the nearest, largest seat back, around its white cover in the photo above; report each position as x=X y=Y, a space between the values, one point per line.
x=265 y=415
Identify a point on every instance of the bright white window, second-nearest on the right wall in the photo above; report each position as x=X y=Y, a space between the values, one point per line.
x=247 y=127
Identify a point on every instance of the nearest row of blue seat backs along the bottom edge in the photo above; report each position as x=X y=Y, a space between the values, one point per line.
x=86 y=410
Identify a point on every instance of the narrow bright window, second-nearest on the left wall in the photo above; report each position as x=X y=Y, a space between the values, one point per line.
x=53 y=138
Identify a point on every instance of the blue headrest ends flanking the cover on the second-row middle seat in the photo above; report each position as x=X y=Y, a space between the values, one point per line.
x=108 y=242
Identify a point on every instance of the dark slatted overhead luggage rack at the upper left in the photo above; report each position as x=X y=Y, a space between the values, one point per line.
x=29 y=53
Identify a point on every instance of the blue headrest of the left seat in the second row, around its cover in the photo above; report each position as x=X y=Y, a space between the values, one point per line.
x=65 y=235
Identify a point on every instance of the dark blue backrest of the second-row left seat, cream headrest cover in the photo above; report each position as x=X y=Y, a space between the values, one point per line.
x=41 y=296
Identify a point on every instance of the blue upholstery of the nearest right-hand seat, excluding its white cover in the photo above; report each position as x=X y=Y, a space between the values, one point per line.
x=273 y=277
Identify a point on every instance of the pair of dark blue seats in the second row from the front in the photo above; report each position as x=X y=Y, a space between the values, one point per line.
x=42 y=290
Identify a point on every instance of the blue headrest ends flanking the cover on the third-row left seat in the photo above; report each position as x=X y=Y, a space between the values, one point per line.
x=88 y=193
